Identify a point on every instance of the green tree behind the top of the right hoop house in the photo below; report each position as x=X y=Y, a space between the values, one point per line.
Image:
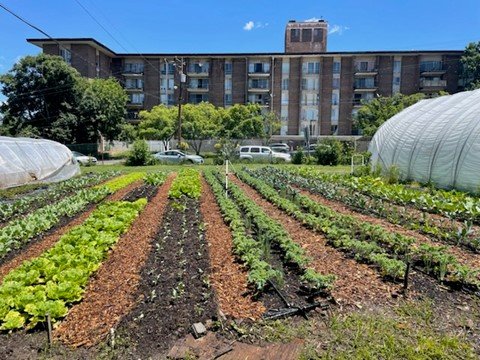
x=373 y=114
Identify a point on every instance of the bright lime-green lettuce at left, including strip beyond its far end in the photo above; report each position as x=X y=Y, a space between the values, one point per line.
x=54 y=281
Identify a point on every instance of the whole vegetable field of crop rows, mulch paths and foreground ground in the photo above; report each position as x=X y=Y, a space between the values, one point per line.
x=293 y=262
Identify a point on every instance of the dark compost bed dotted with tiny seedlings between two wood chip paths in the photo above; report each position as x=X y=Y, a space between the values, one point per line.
x=175 y=290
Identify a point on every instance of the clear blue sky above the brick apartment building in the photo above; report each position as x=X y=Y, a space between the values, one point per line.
x=240 y=26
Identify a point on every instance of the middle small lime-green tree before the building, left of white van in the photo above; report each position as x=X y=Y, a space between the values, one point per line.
x=200 y=122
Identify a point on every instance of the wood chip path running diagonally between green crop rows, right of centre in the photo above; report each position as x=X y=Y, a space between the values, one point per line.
x=356 y=284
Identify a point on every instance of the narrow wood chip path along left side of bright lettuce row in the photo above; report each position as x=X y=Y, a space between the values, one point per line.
x=36 y=248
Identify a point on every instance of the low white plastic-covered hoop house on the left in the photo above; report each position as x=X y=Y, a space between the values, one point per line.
x=25 y=161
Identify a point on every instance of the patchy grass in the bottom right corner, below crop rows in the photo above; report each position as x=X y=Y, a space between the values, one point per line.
x=410 y=334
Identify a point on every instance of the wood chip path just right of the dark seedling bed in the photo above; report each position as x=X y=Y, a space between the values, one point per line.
x=228 y=277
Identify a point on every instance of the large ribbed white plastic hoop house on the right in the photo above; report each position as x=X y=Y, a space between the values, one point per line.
x=435 y=140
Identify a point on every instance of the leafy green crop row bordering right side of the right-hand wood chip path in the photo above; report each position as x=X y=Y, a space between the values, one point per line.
x=390 y=251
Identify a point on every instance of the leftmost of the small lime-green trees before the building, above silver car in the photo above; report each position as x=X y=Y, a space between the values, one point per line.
x=158 y=124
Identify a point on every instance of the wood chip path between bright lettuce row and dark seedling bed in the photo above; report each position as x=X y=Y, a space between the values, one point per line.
x=112 y=291
